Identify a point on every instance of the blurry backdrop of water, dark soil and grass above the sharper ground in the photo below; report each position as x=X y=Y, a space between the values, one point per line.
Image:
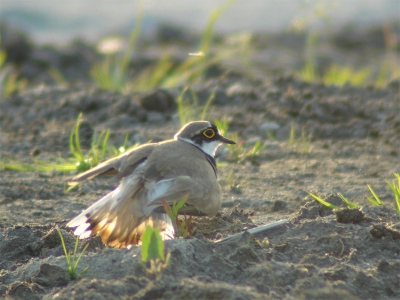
x=109 y=43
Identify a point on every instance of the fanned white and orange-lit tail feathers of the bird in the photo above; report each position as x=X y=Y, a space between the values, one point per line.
x=101 y=217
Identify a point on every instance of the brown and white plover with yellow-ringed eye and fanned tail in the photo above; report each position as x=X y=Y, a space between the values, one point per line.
x=181 y=168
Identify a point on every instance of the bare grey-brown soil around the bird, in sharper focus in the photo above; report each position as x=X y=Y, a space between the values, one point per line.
x=318 y=254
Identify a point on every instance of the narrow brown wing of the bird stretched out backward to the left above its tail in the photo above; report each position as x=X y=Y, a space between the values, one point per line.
x=121 y=165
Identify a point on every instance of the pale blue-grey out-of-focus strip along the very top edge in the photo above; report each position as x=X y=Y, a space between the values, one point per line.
x=58 y=22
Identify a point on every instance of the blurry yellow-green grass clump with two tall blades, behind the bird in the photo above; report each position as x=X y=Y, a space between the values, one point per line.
x=113 y=72
